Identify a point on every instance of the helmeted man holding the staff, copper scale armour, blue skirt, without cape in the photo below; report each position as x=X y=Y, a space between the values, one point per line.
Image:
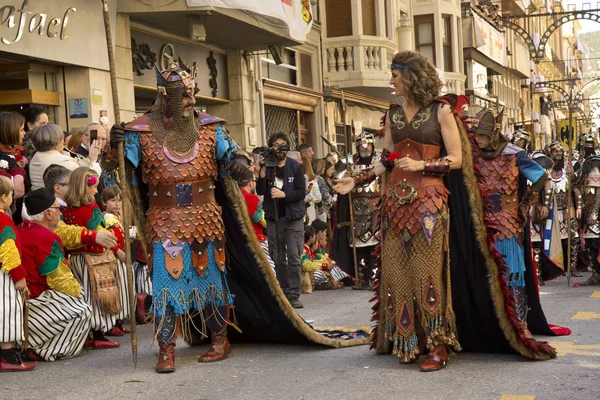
x=177 y=156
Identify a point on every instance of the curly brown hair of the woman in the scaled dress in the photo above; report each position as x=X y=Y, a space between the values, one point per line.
x=421 y=81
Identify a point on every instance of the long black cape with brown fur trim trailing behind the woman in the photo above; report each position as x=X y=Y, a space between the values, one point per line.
x=485 y=314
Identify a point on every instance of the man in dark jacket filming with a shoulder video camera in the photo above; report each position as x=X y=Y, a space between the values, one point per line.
x=281 y=182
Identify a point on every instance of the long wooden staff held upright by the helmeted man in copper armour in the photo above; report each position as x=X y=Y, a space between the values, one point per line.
x=124 y=186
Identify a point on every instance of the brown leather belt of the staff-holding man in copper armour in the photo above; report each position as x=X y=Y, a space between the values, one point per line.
x=167 y=195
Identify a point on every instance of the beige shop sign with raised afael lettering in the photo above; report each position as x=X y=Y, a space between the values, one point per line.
x=70 y=32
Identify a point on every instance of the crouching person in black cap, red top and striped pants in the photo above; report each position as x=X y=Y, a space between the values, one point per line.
x=59 y=317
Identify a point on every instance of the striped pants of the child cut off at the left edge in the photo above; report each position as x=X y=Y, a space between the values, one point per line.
x=11 y=311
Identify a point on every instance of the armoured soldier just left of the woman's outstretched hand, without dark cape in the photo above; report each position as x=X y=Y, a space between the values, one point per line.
x=365 y=199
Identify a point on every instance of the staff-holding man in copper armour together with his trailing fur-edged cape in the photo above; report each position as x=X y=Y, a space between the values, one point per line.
x=172 y=170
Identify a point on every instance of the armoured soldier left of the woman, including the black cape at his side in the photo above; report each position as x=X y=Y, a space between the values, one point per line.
x=365 y=199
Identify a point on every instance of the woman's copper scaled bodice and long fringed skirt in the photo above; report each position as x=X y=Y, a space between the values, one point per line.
x=413 y=281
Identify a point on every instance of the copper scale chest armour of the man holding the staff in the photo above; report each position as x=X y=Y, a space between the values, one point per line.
x=183 y=208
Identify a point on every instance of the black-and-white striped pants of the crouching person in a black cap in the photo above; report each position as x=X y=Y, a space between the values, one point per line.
x=58 y=325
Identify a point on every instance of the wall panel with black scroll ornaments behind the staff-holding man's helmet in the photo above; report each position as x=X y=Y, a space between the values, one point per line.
x=149 y=50
